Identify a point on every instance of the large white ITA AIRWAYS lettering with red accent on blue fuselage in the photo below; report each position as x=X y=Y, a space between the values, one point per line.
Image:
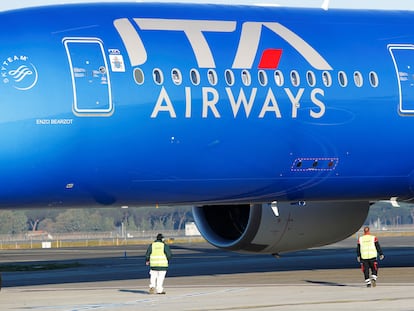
x=264 y=100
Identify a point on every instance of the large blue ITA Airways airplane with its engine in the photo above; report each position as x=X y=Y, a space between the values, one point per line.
x=279 y=125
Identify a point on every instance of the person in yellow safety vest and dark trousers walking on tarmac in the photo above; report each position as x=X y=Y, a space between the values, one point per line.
x=367 y=251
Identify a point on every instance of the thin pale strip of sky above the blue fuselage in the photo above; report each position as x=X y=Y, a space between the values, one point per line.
x=354 y=4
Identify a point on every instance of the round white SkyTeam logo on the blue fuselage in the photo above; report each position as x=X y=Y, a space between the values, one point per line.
x=18 y=72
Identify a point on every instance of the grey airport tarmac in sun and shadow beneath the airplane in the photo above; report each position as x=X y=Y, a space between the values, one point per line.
x=204 y=278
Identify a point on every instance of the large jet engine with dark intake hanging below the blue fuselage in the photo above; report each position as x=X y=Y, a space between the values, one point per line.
x=279 y=227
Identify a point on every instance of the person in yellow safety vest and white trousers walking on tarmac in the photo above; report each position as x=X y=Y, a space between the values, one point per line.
x=157 y=257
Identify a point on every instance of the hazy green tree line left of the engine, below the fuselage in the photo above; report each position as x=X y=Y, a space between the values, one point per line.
x=94 y=219
